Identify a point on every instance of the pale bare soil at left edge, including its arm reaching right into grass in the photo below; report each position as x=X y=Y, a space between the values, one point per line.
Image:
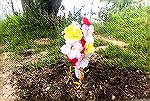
x=6 y=65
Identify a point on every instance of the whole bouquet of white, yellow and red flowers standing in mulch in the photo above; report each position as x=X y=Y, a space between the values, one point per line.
x=78 y=46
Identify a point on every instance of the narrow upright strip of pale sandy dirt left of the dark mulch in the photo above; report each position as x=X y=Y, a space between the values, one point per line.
x=6 y=89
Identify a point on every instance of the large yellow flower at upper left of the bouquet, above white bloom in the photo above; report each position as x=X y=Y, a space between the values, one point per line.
x=72 y=33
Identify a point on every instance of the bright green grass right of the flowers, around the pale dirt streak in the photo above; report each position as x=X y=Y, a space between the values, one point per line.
x=132 y=26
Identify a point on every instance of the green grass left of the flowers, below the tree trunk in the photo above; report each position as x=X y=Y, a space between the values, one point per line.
x=17 y=34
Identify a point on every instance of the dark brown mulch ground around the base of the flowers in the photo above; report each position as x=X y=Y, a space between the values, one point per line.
x=101 y=83
